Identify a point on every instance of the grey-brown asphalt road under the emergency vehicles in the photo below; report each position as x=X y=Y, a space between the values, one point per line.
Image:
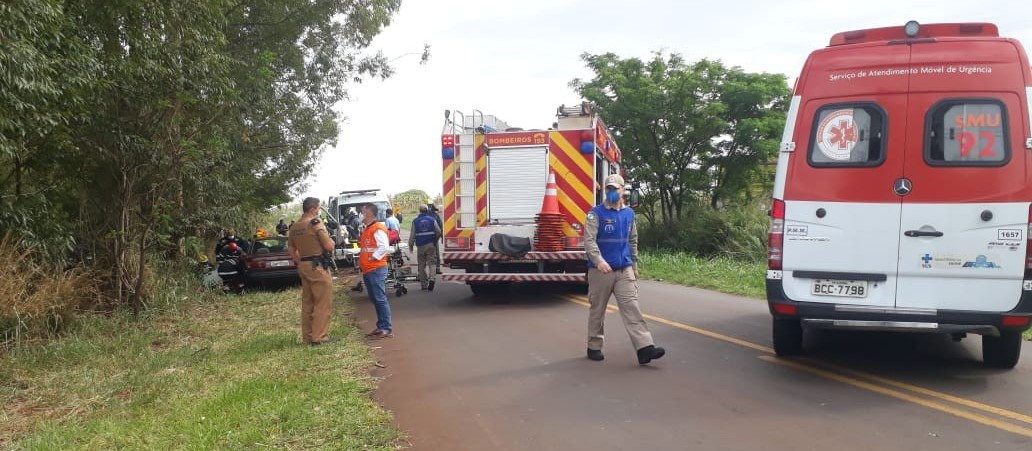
x=509 y=373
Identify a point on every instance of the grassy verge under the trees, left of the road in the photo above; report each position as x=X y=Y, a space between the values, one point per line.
x=229 y=375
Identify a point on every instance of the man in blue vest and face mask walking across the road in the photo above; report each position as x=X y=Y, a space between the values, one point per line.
x=611 y=243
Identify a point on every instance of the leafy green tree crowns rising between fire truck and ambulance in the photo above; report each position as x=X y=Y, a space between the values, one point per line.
x=689 y=131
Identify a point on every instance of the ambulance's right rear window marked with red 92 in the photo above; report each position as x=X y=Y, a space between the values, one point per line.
x=967 y=133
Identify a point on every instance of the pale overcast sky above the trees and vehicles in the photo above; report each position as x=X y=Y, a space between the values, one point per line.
x=515 y=60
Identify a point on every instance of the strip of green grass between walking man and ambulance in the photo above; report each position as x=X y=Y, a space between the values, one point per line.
x=725 y=275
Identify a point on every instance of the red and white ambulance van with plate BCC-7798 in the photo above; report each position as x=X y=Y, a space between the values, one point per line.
x=904 y=194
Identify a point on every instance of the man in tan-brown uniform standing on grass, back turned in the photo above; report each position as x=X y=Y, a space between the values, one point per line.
x=309 y=245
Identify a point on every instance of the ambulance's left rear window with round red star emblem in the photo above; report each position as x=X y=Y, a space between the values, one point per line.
x=848 y=136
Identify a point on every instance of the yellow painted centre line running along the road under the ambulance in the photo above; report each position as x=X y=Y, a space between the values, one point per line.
x=856 y=381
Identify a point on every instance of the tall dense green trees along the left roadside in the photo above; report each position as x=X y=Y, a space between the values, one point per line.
x=144 y=121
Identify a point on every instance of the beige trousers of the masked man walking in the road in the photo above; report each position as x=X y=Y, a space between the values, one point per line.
x=623 y=285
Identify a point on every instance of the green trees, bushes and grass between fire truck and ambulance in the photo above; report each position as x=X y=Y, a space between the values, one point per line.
x=700 y=139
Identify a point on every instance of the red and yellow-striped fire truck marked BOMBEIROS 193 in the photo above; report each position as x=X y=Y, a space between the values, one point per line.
x=495 y=182
